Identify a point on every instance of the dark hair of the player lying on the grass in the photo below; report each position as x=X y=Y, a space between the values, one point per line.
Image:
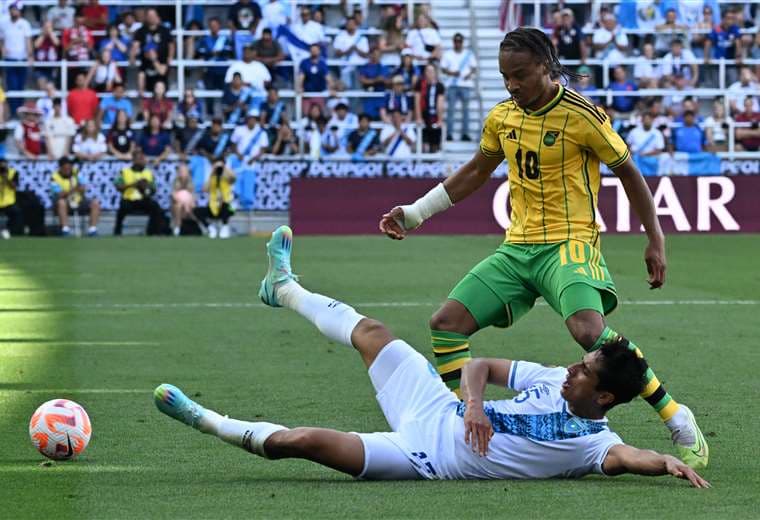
x=621 y=372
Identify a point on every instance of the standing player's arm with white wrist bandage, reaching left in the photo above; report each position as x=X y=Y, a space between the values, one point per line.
x=471 y=176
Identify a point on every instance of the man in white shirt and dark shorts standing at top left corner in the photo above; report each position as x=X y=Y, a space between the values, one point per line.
x=16 y=33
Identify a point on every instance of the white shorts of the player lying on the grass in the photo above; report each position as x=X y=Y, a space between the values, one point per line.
x=415 y=403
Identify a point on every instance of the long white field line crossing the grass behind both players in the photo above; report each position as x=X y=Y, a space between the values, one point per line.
x=249 y=305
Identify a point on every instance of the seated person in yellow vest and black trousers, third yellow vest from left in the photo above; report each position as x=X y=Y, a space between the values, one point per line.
x=137 y=186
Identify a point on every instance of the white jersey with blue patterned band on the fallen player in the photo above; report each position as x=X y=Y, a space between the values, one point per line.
x=535 y=435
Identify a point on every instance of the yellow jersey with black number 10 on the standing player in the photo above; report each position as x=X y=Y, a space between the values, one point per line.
x=553 y=156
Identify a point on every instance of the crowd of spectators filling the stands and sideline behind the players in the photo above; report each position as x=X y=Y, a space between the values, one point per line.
x=368 y=84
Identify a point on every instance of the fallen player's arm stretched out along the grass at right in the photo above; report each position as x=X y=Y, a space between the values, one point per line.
x=627 y=459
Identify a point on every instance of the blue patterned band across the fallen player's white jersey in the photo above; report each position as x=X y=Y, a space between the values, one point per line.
x=557 y=426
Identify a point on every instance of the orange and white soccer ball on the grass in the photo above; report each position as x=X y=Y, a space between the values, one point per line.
x=60 y=429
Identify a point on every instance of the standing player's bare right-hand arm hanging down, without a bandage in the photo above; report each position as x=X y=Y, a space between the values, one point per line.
x=641 y=200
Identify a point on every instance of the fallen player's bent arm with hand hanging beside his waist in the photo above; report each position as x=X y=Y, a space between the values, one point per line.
x=475 y=375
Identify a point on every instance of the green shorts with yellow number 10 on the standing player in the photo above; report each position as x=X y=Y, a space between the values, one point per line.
x=504 y=286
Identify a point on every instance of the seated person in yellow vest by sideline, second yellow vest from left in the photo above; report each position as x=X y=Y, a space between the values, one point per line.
x=69 y=198
